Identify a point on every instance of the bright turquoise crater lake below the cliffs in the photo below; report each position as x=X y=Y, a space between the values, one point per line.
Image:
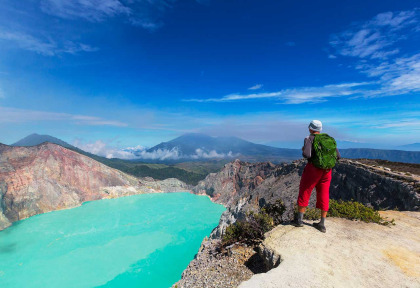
x=137 y=241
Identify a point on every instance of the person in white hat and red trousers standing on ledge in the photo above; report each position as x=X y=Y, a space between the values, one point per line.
x=321 y=151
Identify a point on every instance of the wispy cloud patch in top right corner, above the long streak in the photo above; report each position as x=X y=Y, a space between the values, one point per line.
x=375 y=38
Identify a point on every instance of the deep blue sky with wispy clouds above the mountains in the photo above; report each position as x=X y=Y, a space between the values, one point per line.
x=117 y=73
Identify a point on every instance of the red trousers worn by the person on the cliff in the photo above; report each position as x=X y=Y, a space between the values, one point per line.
x=320 y=179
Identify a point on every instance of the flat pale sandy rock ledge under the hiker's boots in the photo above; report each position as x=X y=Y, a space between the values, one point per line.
x=350 y=254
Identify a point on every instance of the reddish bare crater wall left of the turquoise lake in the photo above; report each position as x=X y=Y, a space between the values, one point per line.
x=48 y=177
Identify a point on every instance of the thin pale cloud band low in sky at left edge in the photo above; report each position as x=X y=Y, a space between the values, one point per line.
x=14 y=115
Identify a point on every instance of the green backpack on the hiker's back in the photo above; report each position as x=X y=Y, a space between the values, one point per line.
x=325 y=151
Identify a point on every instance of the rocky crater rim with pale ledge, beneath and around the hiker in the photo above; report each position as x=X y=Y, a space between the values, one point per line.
x=350 y=254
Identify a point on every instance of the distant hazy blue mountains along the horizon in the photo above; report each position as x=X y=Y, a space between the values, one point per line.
x=199 y=147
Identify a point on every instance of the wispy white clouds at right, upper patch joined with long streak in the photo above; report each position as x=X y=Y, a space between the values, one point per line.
x=369 y=41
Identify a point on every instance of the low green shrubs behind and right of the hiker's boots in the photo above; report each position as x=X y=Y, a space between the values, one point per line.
x=349 y=210
